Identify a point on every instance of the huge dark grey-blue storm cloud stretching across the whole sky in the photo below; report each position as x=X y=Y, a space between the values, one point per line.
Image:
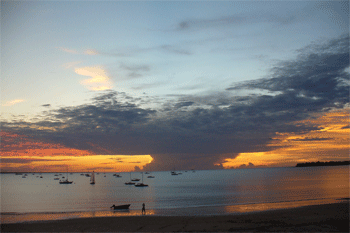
x=198 y=131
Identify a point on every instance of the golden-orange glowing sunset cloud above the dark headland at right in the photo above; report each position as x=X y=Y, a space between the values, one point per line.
x=329 y=142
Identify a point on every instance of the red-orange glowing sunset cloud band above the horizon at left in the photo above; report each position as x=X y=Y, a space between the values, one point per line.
x=20 y=153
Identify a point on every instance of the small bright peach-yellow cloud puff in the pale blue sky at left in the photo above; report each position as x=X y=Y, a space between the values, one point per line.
x=99 y=80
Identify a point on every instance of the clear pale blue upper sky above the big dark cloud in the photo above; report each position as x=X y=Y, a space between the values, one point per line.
x=187 y=47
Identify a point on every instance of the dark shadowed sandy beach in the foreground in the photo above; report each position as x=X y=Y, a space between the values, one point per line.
x=328 y=217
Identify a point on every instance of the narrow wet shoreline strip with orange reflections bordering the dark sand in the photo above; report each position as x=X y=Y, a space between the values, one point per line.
x=7 y=218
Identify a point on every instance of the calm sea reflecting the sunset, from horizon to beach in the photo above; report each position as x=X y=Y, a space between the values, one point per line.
x=191 y=193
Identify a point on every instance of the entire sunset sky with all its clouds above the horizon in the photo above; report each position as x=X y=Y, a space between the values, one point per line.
x=161 y=85
